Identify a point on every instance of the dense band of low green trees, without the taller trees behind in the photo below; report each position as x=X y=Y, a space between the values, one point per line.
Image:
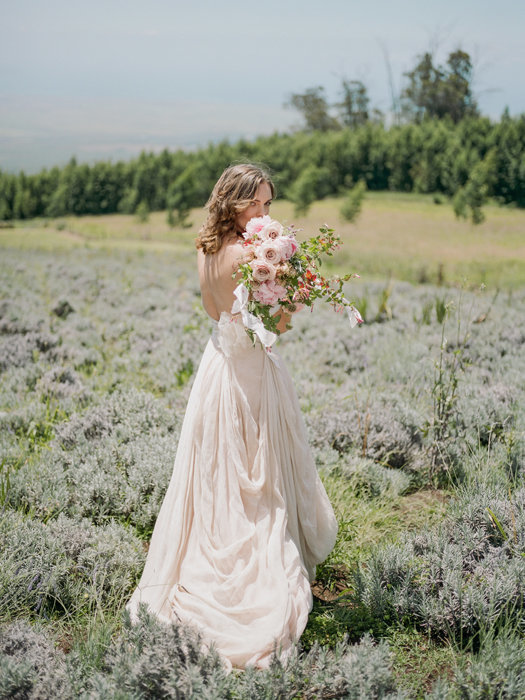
x=434 y=156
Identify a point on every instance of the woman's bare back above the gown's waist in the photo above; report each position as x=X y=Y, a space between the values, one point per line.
x=215 y=277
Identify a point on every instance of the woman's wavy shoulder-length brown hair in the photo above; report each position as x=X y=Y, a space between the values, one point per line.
x=232 y=194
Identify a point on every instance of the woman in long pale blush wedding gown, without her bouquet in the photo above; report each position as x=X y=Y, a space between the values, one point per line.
x=245 y=518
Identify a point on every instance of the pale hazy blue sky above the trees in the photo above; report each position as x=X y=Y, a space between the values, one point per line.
x=106 y=78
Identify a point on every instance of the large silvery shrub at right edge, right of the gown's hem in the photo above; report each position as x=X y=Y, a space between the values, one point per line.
x=461 y=580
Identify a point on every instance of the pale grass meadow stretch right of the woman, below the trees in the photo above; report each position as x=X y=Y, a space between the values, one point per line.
x=414 y=239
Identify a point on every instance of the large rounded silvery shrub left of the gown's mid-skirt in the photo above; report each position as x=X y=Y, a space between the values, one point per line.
x=113 y=460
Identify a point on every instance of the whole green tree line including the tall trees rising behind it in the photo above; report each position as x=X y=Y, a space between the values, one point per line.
x=438 y=143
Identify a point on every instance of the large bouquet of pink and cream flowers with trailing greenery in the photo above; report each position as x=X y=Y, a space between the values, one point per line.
x=278 y=273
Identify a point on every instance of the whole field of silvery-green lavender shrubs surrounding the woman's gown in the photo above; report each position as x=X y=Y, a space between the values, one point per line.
x=417 y=424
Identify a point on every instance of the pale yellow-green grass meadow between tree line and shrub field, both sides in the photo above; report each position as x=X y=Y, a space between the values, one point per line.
x=406 y=235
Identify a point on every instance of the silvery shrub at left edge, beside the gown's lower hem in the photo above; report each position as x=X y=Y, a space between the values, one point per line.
x=65 y=566
